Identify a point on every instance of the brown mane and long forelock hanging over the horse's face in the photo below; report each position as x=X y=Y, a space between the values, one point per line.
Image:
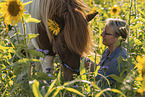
x=76 y=31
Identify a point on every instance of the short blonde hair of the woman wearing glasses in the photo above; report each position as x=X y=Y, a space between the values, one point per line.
x=118 y=26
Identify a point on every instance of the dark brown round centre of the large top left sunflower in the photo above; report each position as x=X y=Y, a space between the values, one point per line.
x=13 y=8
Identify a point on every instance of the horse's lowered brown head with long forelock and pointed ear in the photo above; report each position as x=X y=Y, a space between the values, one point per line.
x=72 y=41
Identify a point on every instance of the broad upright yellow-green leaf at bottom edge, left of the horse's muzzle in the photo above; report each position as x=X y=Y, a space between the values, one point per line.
x=35 y=88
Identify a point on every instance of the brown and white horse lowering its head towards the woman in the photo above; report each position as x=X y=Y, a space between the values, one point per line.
x=74 y=38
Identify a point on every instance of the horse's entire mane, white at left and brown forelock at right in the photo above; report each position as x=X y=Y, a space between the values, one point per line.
x=75 y=27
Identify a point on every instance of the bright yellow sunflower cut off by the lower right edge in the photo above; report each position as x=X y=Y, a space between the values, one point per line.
x=141 y=70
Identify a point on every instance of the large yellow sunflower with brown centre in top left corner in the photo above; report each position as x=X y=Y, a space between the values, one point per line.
x=12 y=11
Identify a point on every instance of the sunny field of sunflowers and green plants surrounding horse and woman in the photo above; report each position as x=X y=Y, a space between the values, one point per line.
x=19 y=78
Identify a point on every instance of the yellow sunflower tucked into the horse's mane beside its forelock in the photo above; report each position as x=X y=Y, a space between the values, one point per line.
x=53 y=26
